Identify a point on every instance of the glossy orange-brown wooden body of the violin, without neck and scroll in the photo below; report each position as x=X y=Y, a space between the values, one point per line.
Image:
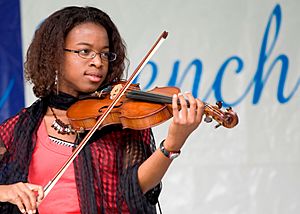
x=130 y=113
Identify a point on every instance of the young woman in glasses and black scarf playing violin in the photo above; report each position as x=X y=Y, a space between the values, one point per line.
x=76 y=51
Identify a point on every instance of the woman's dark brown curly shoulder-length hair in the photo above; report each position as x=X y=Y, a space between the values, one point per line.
x=45 y=53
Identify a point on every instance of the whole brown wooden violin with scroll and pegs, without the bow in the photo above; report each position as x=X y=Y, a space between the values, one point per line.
x=137 y=109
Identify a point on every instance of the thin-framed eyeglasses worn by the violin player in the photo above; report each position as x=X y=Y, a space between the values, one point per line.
x=90 y=54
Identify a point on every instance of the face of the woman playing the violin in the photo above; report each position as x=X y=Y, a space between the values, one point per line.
x=79 y=74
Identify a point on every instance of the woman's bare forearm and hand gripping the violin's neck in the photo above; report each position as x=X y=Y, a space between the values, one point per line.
x=184 y=123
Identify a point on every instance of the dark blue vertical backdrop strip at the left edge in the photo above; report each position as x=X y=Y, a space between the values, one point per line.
x=11 y=65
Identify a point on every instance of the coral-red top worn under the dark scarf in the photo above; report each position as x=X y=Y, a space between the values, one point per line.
x=47 y=159
